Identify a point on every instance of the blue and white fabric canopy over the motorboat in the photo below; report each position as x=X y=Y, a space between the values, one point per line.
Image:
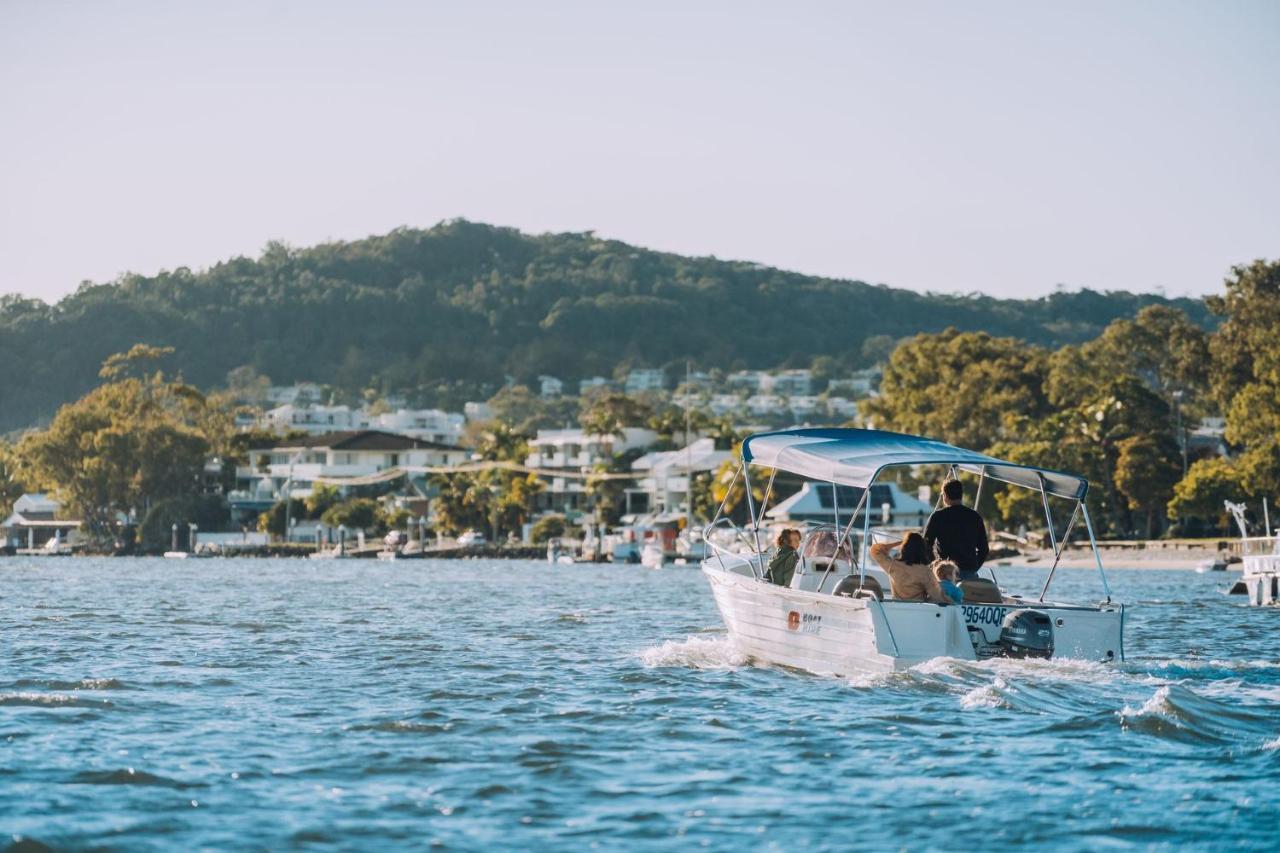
x=857 y=457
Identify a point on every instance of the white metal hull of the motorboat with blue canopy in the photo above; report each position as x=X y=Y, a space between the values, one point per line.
x=840 y=636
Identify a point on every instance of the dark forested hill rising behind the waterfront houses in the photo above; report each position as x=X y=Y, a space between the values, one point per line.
x=474 y=304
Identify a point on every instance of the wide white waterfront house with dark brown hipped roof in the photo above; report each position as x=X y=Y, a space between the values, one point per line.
x=294 y=466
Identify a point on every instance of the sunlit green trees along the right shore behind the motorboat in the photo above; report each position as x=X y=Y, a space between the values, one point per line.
x=1119 y=409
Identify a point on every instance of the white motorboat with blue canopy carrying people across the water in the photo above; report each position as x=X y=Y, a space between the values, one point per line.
x=839 y=615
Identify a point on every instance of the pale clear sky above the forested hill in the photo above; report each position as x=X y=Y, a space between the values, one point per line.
x=954 y=147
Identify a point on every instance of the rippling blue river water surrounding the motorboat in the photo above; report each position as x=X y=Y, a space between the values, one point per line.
x=152 y=704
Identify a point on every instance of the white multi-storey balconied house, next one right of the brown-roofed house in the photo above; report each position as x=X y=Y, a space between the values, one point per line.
x=577 y=453
